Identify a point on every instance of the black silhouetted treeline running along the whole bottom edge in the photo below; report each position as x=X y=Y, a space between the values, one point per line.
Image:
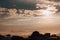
x=34 y=36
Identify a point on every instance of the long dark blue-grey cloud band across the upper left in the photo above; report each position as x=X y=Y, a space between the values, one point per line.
x=19 y=4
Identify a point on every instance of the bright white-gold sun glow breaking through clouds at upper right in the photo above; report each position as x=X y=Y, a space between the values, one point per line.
x=50 y=10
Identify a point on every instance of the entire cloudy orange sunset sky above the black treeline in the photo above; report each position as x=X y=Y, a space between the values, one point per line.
x=33 y=15
